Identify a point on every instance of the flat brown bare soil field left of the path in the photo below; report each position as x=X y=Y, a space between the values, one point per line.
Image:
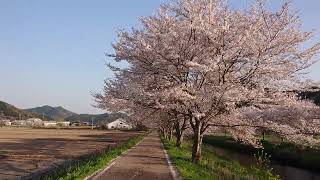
x=24 y=151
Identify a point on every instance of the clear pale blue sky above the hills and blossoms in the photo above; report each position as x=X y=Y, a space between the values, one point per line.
x=52 y=51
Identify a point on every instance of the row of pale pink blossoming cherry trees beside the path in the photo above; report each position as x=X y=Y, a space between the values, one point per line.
x=199 y=66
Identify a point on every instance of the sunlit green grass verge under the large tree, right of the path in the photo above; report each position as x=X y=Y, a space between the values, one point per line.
x=212 y=166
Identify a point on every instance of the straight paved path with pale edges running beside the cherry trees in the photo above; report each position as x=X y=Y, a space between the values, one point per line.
x=147 y=161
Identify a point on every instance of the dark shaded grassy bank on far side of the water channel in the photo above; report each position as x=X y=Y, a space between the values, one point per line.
x=283 y=152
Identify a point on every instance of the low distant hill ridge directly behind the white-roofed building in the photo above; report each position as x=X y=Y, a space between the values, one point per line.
x=97 y=119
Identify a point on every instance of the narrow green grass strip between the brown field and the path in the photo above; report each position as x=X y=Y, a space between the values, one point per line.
x=90 y=164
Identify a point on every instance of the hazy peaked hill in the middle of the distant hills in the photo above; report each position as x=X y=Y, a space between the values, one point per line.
x=55 y=113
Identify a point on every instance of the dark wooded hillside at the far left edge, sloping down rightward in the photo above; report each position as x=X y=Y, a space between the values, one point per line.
x=11 y=111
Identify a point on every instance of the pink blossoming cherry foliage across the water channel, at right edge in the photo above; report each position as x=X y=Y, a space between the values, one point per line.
x=296 y=121
